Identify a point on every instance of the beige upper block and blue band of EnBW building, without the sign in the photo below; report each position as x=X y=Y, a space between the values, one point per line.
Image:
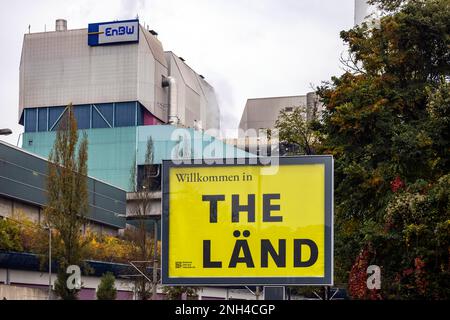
x=113 y=85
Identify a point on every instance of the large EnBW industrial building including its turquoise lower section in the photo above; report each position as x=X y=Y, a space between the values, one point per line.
x=125 y=92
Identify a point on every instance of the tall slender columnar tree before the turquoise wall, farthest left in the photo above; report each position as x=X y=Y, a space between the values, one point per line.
x=67 y=198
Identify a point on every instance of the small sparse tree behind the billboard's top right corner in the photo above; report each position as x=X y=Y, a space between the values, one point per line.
x=298 y=132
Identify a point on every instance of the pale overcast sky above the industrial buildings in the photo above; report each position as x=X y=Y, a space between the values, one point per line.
x=245 y=49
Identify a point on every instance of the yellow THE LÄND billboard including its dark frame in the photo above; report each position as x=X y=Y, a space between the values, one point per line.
x=231 y=224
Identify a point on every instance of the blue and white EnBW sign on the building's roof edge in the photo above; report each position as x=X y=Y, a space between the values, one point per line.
x=113 y=32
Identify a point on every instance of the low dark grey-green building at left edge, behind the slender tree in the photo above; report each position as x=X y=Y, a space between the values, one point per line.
x=22 y=190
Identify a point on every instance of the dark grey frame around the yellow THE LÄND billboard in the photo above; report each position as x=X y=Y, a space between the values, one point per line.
x=326 y=280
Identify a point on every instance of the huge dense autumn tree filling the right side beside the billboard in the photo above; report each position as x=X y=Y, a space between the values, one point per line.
x=386 y=123
